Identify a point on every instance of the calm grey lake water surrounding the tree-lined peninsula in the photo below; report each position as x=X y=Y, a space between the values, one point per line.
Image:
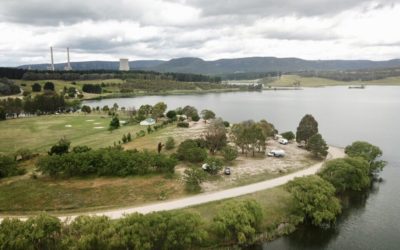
x=344 y=115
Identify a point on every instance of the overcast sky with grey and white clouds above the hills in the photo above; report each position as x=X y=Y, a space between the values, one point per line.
x=209 y=29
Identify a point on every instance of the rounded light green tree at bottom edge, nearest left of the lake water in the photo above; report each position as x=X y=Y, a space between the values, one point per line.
x=238 y=222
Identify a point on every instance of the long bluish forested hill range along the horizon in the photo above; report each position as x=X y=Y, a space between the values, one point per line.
x=230 y=66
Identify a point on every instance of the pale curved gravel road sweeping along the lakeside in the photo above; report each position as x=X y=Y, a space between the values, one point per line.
x=334 y=152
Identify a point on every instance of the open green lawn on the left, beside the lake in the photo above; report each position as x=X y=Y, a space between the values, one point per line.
x=41 y=132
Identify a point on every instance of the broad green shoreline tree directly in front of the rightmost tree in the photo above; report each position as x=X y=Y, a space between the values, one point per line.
x=347 y=173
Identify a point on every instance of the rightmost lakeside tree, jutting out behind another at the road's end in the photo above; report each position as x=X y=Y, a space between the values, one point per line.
x=369 y=152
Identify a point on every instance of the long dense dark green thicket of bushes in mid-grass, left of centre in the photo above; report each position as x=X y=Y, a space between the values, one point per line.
x=106 y=162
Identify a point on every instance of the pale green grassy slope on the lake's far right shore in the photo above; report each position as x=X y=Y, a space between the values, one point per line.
x=288 y=80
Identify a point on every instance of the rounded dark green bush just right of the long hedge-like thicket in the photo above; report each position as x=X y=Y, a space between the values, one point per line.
x=189 y=150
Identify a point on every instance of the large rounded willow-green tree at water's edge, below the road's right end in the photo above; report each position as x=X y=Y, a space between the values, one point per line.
x=314 y=199
